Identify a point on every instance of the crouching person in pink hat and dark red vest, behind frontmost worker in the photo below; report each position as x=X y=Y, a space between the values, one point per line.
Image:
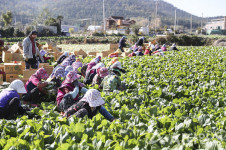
x=68 y=93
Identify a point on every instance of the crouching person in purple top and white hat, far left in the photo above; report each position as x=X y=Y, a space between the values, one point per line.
x=10 y=100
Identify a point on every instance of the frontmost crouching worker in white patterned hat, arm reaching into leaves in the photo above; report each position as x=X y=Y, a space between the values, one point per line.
x=89 y=105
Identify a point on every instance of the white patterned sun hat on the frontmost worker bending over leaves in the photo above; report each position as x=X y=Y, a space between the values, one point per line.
x=93 y=97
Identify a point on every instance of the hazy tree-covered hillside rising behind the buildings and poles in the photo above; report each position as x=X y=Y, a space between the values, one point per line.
x=27 y=10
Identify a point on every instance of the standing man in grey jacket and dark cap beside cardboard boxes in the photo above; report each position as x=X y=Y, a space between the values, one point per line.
x=31 y=51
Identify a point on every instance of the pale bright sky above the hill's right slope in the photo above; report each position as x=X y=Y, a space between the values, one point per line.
x=209 y=8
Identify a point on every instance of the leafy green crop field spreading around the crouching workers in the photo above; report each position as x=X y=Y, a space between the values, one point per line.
x=173 y=102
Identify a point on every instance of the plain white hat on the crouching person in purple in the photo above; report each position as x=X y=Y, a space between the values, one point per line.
x=17 y=85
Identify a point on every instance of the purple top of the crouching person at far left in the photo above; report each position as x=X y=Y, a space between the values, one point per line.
x=6 y=96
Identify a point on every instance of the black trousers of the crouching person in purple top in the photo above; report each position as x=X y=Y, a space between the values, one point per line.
x=11 y=109
